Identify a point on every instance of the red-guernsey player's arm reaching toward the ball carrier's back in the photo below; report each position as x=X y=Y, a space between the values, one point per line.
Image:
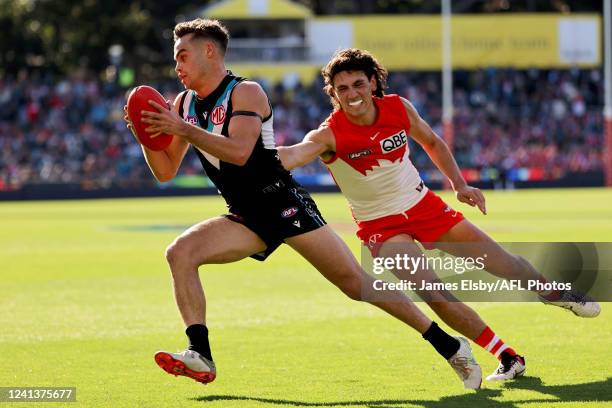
x=319 y=142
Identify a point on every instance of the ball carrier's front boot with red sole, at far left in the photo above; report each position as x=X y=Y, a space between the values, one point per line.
x=189 y=363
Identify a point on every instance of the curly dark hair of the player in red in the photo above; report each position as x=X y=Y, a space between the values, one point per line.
x=354 y=59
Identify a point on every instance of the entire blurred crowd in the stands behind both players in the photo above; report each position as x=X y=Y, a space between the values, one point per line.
x=70 y=130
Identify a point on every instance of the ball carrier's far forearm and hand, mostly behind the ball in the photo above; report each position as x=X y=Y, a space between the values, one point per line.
x=164 y=164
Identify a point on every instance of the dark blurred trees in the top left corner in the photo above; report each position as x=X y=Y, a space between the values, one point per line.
x=62 y=36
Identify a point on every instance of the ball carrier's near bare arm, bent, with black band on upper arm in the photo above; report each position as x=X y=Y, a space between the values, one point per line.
x=243 y=130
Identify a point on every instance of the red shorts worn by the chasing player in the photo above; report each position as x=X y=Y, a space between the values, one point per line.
x=426 y=222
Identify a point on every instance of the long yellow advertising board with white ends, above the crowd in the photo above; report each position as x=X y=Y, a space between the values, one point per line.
x=415 y=42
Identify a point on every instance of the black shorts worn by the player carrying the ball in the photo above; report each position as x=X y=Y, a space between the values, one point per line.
x=279 y=215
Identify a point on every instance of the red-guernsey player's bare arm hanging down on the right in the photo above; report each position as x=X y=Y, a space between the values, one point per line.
x=440 y=154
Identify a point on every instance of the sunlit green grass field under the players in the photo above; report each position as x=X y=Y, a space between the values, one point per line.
x=86 y=300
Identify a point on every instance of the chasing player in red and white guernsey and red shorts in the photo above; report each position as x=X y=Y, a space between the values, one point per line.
x=364 y=144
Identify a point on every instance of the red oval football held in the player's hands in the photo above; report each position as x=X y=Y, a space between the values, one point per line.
x=138 y=100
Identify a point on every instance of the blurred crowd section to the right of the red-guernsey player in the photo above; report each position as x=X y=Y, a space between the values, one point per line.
x=549 y=120
